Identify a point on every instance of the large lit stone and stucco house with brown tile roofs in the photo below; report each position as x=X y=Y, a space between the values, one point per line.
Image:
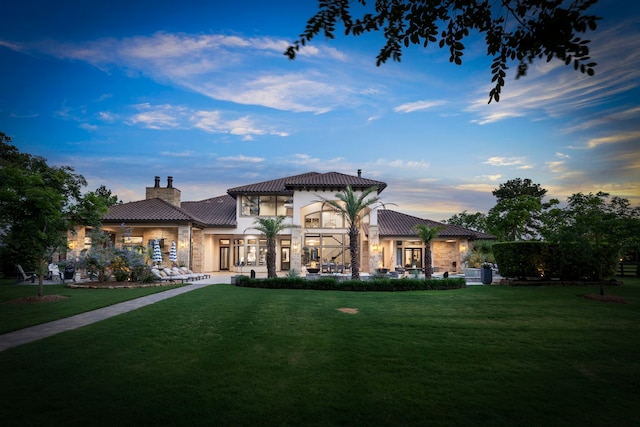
x=216 y=234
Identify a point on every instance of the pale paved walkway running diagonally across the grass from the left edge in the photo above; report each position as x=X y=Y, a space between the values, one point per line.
x=34 y=333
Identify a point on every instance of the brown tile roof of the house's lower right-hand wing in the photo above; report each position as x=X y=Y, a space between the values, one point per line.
x=396 y=224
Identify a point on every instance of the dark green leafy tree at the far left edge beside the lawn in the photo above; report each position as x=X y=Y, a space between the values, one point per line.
x=38 y=205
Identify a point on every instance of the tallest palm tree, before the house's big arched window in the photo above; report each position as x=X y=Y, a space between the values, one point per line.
x=353 y=208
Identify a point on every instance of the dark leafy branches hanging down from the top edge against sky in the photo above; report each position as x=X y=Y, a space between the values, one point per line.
x=514 y=30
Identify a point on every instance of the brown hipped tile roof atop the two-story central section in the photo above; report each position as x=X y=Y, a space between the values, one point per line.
x=310 y=181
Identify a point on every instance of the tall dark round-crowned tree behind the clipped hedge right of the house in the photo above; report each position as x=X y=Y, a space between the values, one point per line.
x=518 y=212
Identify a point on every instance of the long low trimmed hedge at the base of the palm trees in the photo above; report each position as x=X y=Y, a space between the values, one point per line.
x=371 y=285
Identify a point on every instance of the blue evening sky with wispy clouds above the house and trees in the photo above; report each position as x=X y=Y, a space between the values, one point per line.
x=200 y=90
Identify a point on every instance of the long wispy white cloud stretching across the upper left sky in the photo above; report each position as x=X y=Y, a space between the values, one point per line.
x=214 y=65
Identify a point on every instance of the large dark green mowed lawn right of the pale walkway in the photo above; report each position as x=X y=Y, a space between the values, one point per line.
x=484 y=355
